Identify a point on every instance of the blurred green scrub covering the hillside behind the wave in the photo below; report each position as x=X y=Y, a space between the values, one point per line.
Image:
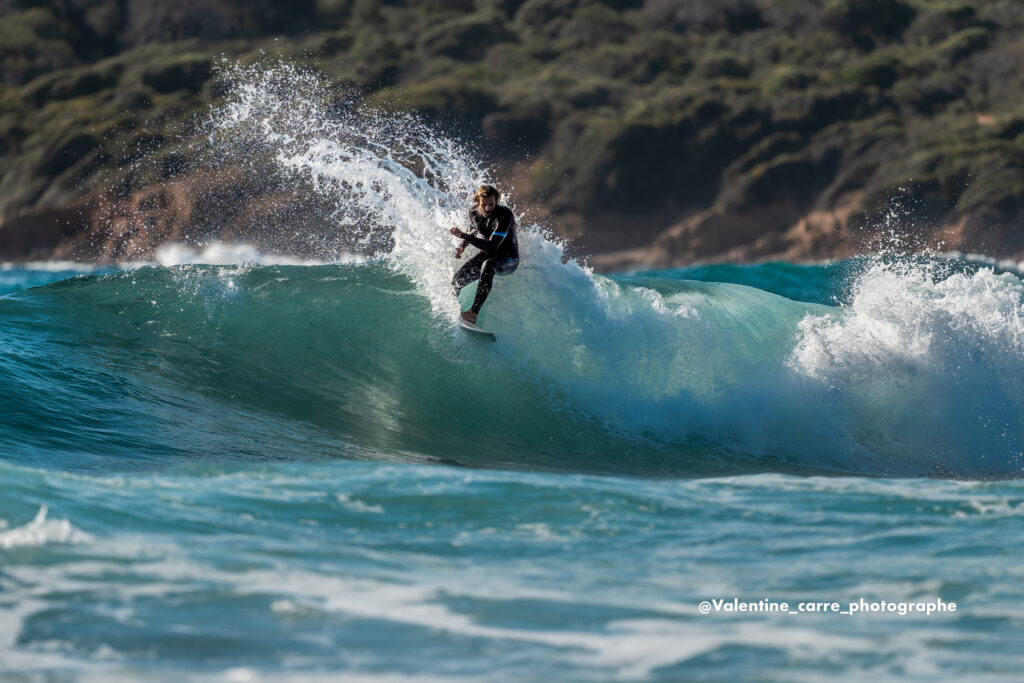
x=649 y=108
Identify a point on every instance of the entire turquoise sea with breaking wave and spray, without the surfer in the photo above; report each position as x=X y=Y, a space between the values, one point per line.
x=233 y=464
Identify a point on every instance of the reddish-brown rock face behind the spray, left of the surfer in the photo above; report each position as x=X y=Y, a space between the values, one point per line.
x=194 y=209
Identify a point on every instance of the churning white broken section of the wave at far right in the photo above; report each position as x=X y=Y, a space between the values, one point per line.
x=923 y=369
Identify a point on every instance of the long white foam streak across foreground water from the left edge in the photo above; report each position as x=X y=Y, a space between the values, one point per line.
x=630 y=649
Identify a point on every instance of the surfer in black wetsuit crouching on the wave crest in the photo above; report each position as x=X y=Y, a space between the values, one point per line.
x=493 y=232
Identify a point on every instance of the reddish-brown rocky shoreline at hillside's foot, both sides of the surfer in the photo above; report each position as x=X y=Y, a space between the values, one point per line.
x=94 y=233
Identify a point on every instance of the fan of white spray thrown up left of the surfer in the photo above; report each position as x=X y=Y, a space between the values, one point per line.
x=393 y=185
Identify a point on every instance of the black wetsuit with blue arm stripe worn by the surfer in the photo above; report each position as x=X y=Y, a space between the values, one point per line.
x=499 y=252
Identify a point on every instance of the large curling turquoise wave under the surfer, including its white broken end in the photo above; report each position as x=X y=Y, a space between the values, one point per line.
x=917 y=373
